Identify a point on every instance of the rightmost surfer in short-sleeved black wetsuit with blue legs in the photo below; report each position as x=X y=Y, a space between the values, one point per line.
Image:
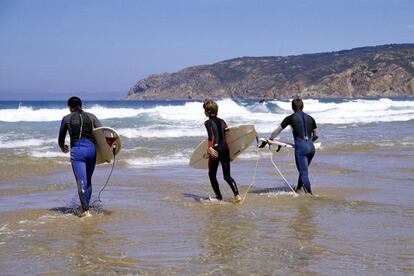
x=304 y=133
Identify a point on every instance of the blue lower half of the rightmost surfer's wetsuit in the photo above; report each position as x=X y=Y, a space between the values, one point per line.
x=304 y=152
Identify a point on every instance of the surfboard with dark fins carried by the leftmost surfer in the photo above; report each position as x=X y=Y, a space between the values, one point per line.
x=107 y=139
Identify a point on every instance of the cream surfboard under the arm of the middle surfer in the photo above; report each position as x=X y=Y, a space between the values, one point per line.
x=238 y=139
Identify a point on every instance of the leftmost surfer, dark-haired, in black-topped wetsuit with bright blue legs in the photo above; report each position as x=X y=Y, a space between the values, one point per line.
x=80 y=125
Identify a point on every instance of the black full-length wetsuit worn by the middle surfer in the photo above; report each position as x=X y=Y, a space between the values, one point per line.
x=216 y=138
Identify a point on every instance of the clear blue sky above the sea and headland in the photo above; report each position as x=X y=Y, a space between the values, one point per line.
x=98 y=49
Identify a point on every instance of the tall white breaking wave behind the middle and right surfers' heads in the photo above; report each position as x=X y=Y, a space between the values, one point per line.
x=346 y=112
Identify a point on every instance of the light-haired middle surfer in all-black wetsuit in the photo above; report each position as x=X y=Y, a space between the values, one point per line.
x=218 y=150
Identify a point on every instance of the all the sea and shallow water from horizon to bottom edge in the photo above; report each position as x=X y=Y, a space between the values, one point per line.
x=153 y=218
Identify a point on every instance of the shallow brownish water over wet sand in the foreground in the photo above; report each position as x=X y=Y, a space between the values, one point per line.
x=154 y=221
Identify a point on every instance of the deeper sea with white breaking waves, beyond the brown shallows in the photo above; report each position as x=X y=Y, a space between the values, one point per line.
x=158 y=133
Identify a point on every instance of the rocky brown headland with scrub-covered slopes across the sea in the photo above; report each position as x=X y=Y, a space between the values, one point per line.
x=381 y=71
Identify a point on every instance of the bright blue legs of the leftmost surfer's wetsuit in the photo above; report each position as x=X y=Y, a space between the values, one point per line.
x=83 y=158
